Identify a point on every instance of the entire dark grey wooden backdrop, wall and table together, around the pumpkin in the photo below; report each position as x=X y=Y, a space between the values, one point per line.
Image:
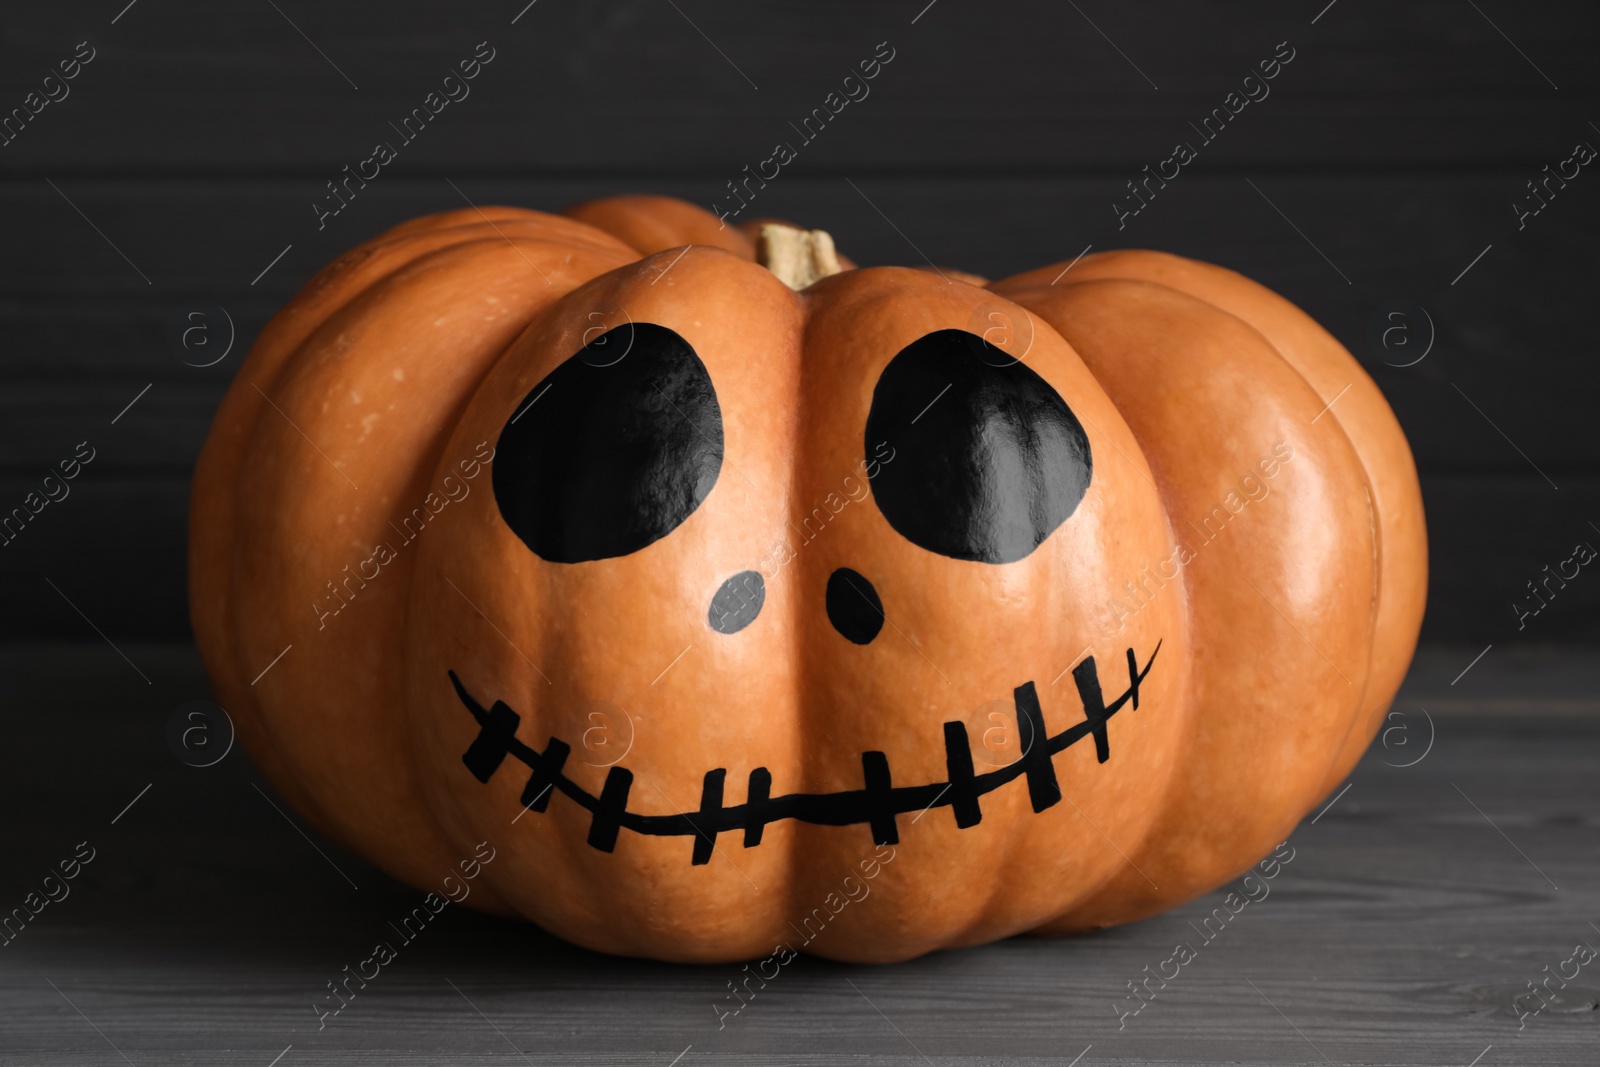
x=1454 y=868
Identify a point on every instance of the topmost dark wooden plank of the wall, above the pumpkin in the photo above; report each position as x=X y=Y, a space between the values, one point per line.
x=174 y=90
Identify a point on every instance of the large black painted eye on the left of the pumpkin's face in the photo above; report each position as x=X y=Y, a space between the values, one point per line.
x=614 y=450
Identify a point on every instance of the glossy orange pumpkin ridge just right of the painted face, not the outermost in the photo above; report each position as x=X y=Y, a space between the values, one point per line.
x=1084 y=311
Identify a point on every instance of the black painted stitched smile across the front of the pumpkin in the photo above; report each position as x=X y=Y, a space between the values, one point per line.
x=878 y=804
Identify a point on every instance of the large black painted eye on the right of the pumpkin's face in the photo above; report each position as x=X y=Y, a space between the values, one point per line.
x=988 y=457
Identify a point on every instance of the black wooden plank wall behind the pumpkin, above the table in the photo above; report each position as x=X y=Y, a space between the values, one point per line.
x=185 y=158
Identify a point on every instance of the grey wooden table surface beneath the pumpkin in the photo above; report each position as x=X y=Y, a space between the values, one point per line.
x=1415 y=911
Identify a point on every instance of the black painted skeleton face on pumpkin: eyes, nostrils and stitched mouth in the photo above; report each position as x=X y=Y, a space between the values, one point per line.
x=985 y=478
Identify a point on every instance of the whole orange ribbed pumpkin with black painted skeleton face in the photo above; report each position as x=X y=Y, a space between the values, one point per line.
x=868 y=618
